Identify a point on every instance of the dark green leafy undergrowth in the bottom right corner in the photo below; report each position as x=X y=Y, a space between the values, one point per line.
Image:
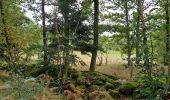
x=151 y=89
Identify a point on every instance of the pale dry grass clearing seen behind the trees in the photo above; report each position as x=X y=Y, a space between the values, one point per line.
x=115 y=65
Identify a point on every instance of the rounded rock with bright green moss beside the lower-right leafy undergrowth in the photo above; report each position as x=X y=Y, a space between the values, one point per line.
x=128 y=88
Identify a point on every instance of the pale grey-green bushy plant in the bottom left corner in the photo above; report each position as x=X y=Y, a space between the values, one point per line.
x=21 y=88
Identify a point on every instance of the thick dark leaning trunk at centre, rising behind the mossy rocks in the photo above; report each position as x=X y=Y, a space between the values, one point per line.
x=96 y=35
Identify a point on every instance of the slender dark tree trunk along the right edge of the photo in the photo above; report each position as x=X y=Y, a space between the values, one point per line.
x=167 y=42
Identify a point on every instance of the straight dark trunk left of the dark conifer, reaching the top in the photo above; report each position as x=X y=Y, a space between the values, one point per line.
x=44 y=35
